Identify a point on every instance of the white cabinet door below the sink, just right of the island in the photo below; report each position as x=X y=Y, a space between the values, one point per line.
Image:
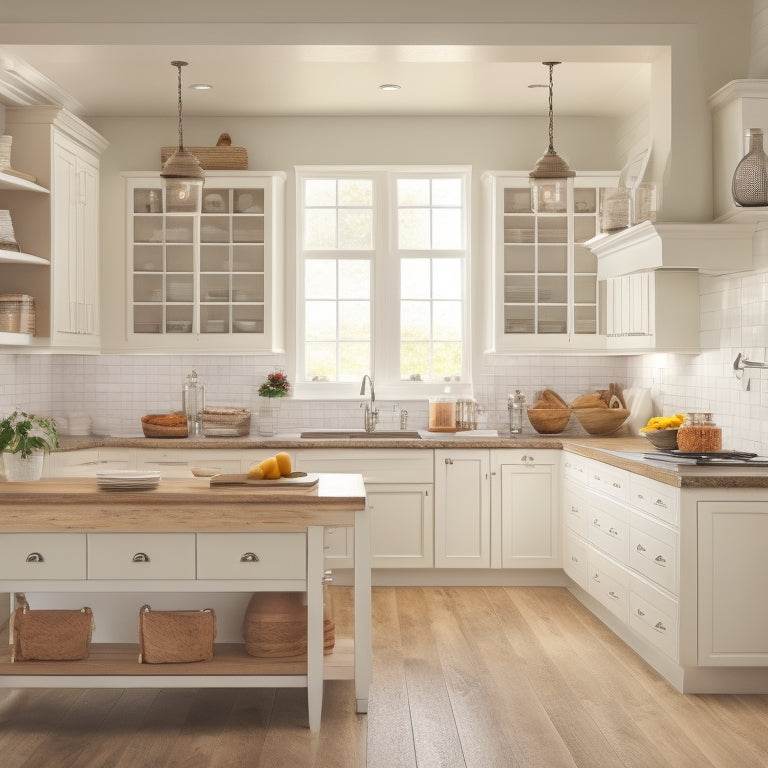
x=401 y=526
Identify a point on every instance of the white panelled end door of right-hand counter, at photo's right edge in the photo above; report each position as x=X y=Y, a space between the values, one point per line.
x=733 y=569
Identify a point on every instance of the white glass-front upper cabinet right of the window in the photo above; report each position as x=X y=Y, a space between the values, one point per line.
x=542 y=279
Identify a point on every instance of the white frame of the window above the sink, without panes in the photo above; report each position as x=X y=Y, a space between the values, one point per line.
x=385 y=286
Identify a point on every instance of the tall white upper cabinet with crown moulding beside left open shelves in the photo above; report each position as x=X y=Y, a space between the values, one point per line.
x=62 y=228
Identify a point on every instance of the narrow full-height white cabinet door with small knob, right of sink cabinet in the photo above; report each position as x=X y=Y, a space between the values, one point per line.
x=462 y=509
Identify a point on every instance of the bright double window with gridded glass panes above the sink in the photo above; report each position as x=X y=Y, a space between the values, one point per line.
x=382 y=279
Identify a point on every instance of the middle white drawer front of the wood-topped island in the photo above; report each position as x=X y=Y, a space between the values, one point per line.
x=141 y=555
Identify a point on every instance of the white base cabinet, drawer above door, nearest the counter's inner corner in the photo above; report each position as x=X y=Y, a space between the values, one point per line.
x=524 y=506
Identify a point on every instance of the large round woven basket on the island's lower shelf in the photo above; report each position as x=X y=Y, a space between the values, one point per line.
x=275 y=626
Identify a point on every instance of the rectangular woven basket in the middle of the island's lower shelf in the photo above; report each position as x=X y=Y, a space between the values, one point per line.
x=175 y=637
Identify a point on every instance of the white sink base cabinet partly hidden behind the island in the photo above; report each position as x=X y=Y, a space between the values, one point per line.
x=398 y=484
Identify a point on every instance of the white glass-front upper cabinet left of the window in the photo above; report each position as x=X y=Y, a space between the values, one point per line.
x=210 y=280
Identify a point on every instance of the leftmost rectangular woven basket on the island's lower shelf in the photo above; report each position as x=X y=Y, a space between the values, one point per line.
x=51 y=635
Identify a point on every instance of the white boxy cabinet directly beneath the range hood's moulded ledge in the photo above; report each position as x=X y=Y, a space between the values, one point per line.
x=654 y=311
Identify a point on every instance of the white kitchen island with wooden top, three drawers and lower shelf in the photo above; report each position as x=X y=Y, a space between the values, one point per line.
x=66 y=535
